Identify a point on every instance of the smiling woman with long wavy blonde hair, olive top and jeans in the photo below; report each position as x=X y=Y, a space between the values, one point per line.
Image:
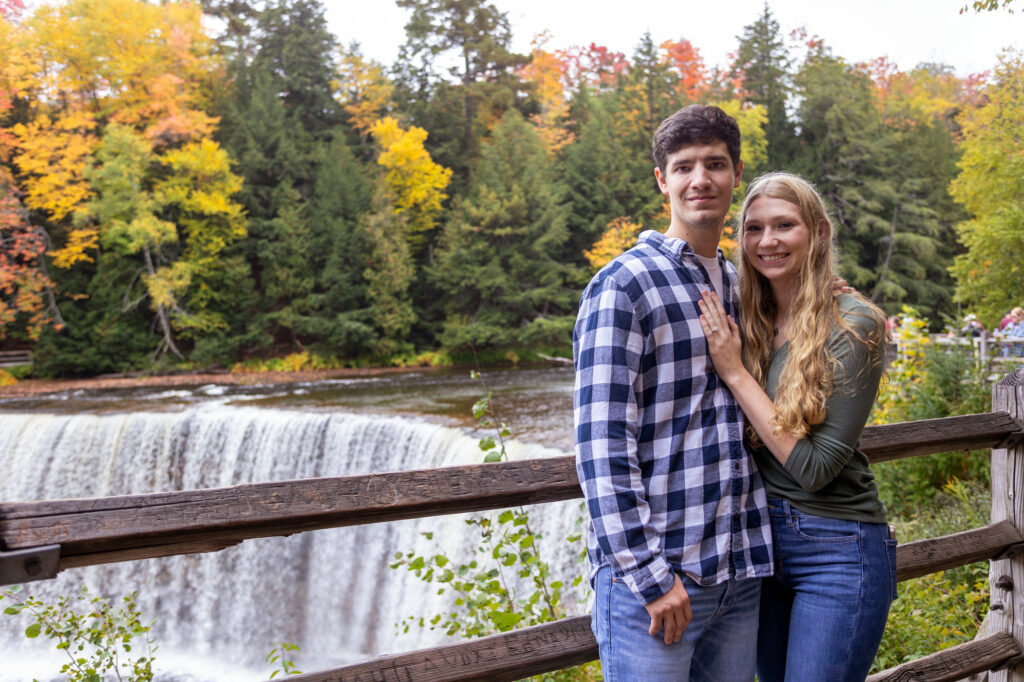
x=805 y=368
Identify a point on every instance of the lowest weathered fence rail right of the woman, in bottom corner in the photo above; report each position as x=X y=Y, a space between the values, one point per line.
x=956 y=663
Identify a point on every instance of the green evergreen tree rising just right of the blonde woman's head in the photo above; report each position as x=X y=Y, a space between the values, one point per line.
x=889 y=233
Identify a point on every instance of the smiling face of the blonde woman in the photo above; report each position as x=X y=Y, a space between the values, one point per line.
x=776 y=239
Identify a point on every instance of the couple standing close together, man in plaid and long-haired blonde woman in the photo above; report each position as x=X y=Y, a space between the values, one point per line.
x=707 y=563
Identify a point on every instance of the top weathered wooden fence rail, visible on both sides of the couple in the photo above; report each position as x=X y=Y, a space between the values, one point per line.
x=106 y=530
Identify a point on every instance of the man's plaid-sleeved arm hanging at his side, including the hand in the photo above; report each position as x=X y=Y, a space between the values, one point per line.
x=608 y=349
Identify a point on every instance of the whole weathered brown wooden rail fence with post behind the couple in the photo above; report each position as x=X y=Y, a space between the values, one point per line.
x=40 y=539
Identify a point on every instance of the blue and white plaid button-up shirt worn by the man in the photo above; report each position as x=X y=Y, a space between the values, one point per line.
x=659 y=438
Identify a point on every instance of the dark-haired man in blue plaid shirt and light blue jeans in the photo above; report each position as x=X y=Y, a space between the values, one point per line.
x=679 y=534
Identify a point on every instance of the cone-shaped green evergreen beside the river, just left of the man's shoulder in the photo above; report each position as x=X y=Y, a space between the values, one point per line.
x=502 y=265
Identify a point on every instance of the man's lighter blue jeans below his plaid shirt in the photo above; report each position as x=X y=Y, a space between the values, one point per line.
x=717 y=646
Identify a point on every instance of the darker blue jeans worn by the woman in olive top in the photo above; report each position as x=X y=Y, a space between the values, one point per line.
x=824 y=613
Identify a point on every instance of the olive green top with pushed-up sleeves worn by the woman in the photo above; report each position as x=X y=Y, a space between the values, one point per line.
x=827 y=475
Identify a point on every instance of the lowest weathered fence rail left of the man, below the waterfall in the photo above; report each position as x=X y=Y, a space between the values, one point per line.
x=511 y=656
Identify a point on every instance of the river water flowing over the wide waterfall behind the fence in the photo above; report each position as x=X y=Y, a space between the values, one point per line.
x=331 y=591
